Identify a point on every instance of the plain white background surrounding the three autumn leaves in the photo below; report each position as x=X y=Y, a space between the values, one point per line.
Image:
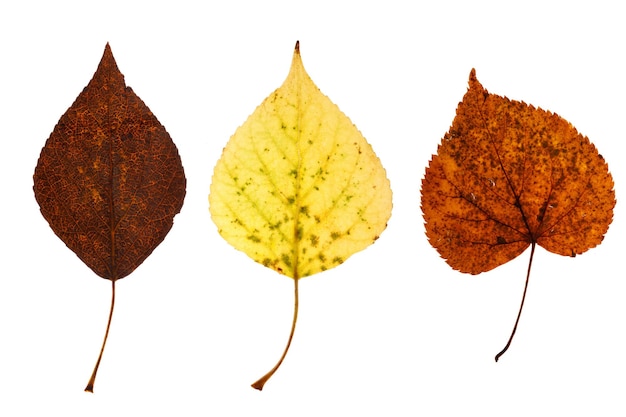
x=393 y=331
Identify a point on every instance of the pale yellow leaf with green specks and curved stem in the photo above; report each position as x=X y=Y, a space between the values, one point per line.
x=298 y=188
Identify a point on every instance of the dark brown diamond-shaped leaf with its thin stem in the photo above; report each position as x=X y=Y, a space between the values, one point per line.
x=109 y=179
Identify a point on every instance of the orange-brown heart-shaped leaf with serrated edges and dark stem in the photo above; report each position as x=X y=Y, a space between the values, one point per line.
x=507 y=176
